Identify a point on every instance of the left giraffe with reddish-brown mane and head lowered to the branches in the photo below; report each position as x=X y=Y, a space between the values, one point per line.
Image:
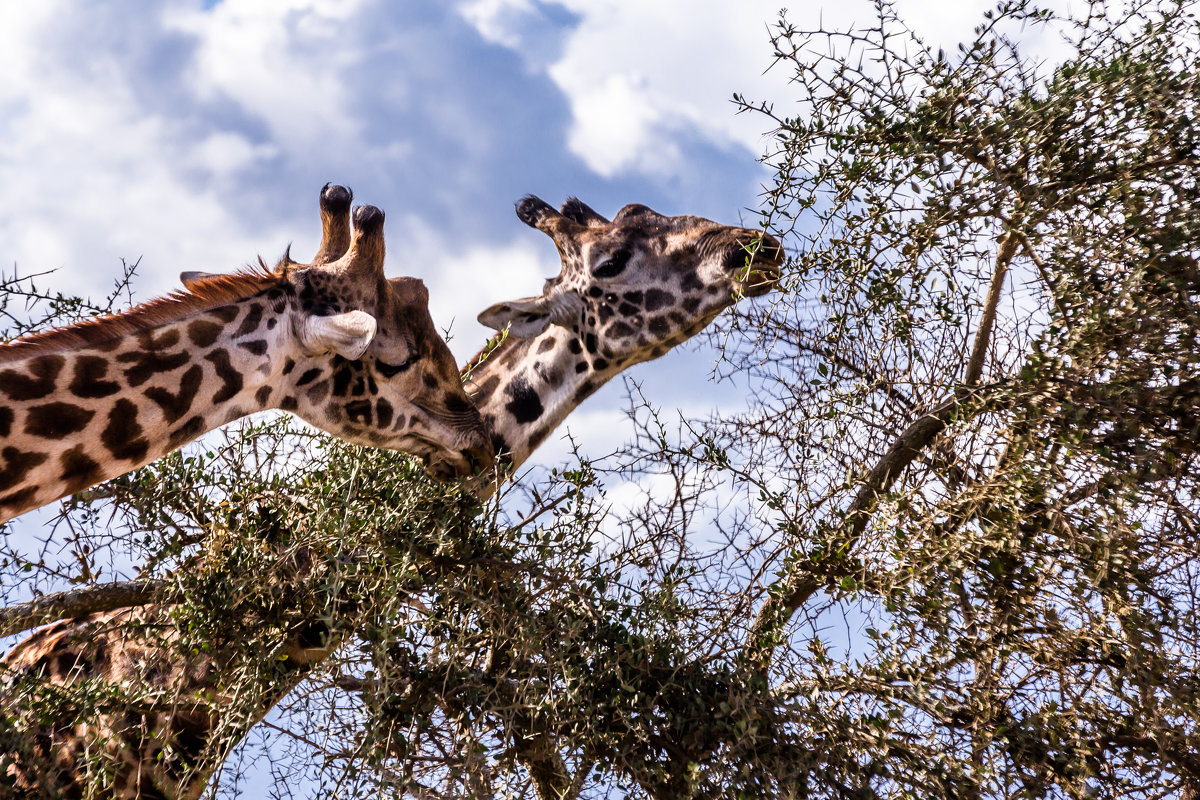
x=335 y=342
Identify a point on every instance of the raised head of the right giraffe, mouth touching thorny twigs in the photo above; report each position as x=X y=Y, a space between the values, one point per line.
x=633 y=288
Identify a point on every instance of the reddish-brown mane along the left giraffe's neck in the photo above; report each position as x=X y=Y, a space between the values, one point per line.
x=206 y=293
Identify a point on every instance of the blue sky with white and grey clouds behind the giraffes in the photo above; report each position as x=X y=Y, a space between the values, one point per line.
x=195 y=135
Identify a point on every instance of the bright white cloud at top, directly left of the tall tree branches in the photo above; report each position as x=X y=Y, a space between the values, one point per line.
x=641 y=79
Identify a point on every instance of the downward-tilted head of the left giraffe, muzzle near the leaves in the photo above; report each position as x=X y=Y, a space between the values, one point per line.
x=365 y=362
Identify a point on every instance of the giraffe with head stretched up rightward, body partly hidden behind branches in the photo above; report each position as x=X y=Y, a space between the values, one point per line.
x=629 y=291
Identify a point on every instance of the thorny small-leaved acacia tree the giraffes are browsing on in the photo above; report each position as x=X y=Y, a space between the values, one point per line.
x=949 y=550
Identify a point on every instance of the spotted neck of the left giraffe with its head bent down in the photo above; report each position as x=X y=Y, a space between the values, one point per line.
x=95 y=401
